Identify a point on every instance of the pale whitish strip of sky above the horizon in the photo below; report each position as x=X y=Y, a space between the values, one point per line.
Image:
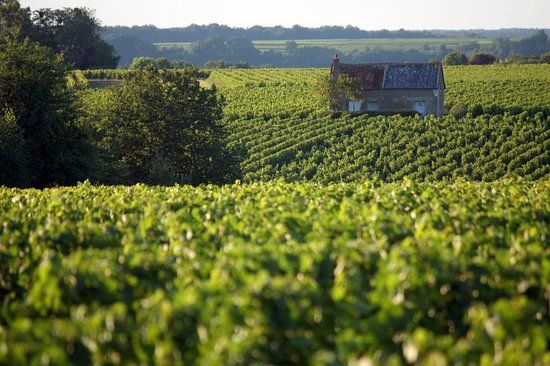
x=365 y=14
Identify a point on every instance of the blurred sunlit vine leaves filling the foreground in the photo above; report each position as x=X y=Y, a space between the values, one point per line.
x=275 y=273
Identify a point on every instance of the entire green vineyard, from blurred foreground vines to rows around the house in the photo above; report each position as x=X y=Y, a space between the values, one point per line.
x=349 y=239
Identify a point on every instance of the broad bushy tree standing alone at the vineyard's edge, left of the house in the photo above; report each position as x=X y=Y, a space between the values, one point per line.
x=161 y=127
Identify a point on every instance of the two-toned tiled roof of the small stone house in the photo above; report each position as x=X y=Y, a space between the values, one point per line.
x=394 y=76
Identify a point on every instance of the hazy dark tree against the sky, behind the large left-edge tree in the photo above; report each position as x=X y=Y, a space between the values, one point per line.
x=75 y=33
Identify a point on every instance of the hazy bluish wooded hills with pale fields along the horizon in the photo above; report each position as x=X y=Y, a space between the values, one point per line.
x=313 y=47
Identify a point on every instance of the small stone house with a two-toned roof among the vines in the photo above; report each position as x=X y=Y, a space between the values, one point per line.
x=396 y=87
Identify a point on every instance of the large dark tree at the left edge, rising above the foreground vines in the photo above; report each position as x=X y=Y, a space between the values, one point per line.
x=34 y=96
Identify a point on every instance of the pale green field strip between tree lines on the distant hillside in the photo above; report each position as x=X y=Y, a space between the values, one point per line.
x=349 y=45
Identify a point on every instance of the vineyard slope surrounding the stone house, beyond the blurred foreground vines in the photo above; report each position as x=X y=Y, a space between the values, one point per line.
x=288 y=133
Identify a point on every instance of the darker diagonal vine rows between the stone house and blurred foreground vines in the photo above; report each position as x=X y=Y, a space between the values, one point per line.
x=356 y=148
